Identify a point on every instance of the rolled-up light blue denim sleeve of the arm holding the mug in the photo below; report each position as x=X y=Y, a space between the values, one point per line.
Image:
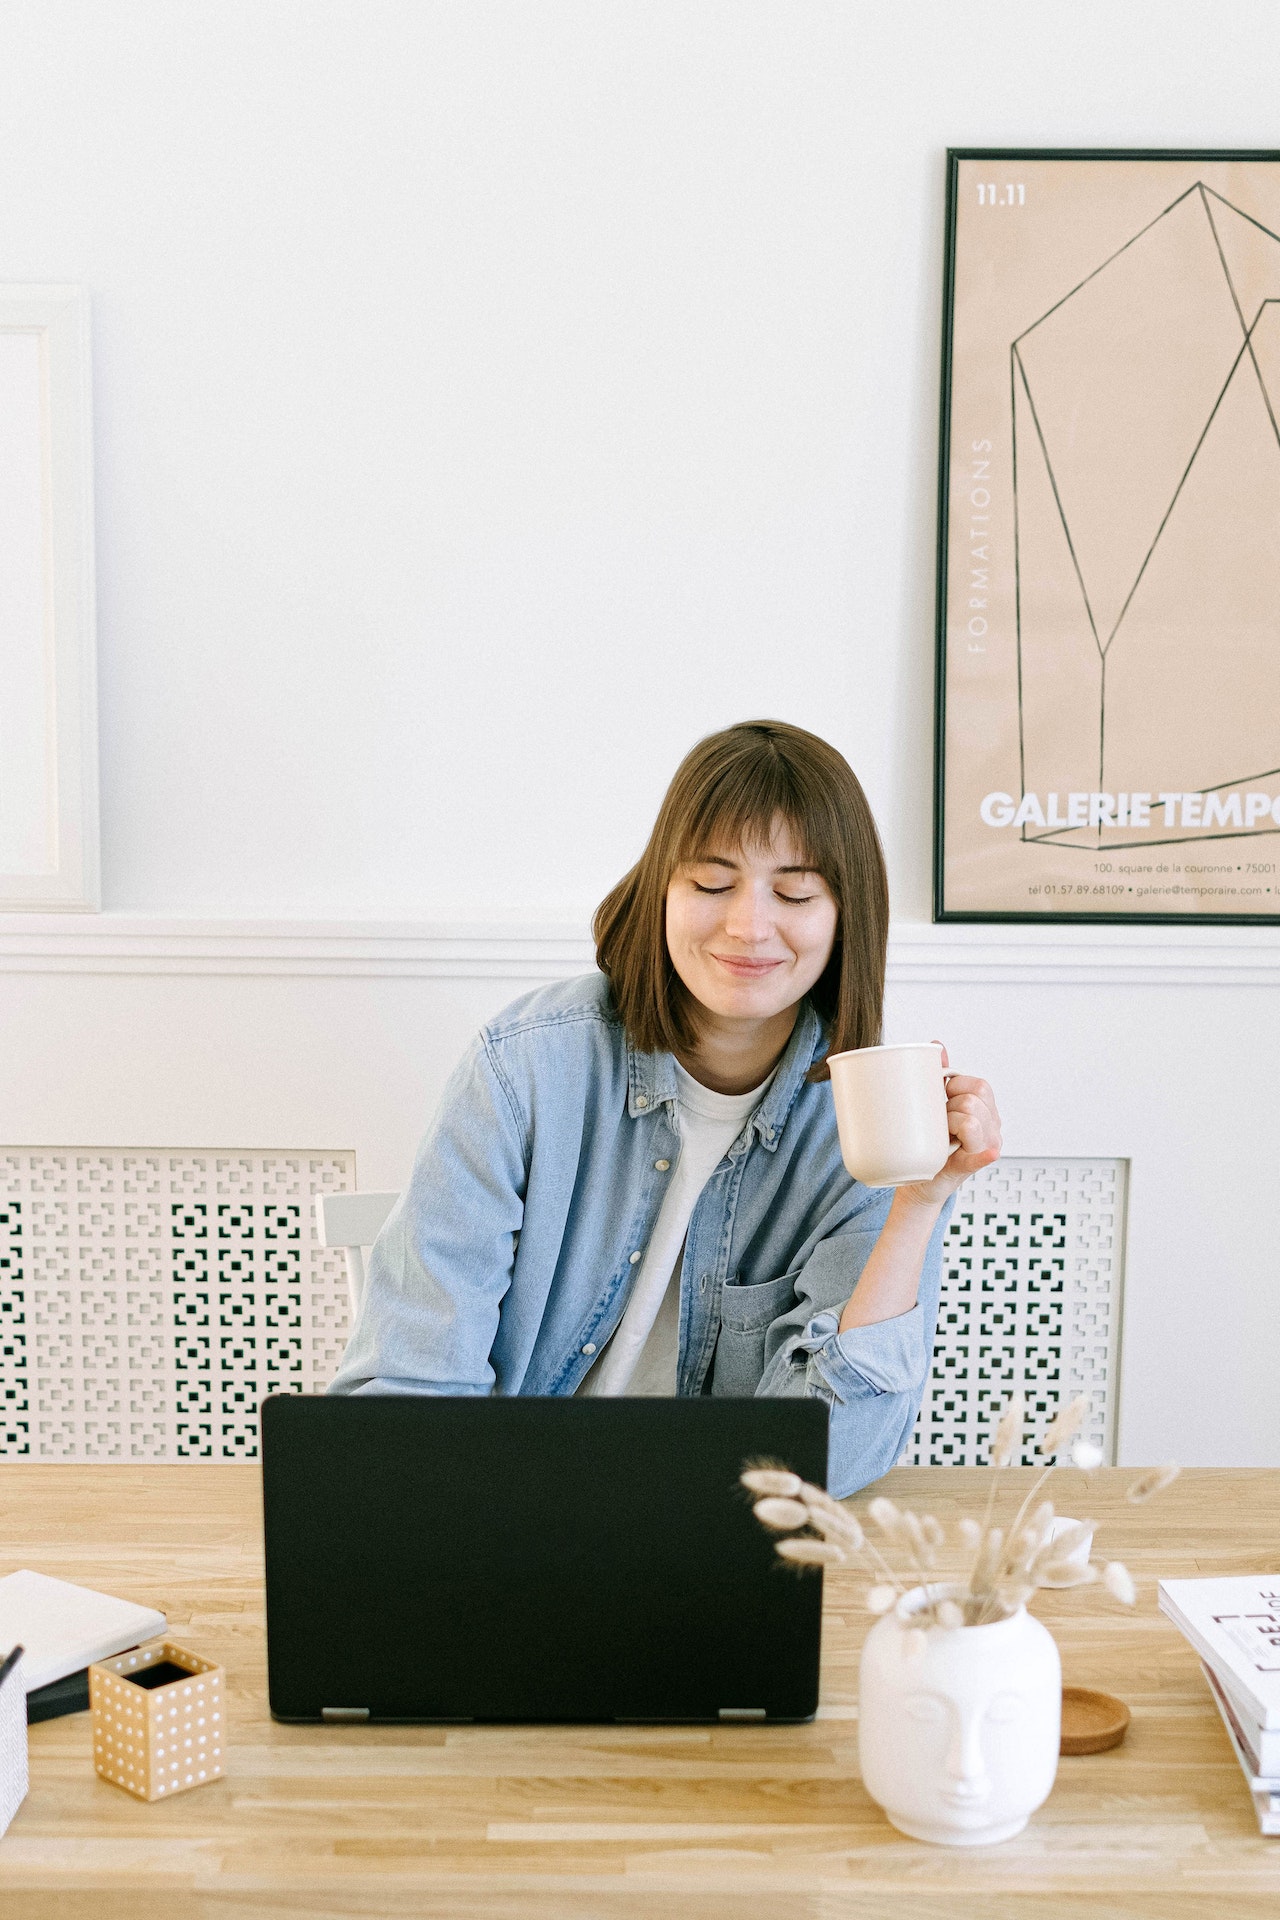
x=872 y=1378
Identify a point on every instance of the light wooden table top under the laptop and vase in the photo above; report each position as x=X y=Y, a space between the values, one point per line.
x=625 y=1823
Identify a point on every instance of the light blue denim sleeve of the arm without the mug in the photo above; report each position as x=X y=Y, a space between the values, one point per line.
x=444 y=1262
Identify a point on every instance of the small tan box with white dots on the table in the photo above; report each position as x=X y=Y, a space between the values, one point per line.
x=158 y=1721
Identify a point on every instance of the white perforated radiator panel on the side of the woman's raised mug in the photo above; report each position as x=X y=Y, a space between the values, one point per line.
x=1031 y=1297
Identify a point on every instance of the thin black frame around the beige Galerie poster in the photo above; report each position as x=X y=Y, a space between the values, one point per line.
x=1108 y=915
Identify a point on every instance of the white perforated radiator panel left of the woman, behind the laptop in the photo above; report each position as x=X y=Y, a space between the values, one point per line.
x=149 y=1301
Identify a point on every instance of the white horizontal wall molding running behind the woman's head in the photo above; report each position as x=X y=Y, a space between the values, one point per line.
x=918 y=953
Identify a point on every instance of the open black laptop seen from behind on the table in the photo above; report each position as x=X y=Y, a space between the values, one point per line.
x=534 y=1560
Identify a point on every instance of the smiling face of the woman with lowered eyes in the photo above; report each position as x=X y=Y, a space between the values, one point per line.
x=749 y=928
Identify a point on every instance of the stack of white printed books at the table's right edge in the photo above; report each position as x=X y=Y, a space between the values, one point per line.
x=1235 y=1627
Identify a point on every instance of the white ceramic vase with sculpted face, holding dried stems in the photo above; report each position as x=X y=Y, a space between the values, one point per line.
x=959 y=1729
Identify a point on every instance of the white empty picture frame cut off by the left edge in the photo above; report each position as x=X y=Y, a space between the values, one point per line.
x=49 y=698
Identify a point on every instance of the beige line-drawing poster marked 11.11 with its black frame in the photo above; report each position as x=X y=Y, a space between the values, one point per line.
x=1108 y=715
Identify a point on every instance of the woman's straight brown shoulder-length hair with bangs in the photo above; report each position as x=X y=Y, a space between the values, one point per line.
x=728 y=794
